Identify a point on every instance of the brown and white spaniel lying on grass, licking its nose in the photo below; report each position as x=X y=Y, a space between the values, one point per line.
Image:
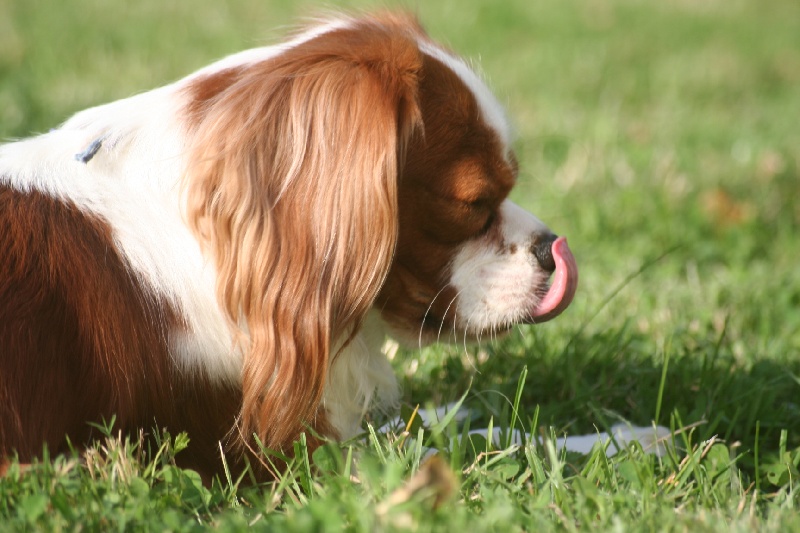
x=225 y=255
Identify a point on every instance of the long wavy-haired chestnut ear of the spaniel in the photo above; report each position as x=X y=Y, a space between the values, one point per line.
x=293 y=189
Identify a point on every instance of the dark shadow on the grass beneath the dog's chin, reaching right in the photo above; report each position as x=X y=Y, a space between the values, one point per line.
x=601 y=378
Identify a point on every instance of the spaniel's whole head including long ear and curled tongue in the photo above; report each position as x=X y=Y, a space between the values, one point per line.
x=359 y=166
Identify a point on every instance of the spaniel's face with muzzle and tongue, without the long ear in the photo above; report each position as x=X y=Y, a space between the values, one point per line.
x=468 y=260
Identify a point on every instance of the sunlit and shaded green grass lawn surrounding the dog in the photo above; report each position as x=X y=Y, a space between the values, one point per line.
x=661 y=138
